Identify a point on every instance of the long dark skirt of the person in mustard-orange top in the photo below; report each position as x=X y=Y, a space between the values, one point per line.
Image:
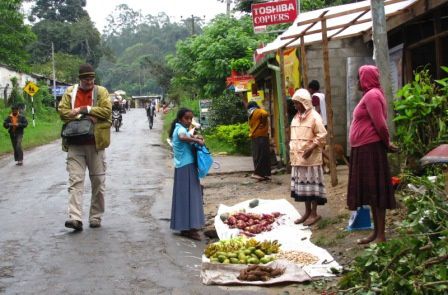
x=261 y=156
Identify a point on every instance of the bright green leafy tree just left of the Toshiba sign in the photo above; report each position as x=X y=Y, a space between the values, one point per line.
x=202 y=63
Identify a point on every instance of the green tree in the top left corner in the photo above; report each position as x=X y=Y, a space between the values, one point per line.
x=14 y=35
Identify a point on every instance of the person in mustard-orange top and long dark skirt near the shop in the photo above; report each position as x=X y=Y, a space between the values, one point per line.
x=259 y=135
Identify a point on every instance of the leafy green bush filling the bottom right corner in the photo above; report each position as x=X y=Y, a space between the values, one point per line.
x=416 y=260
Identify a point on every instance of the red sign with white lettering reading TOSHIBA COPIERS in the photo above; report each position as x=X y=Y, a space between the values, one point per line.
x=271 y=13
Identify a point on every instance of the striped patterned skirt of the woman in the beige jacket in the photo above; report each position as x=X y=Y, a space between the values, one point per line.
x=307 y=184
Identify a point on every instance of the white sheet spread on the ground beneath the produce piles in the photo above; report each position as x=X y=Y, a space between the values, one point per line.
x=291 y=236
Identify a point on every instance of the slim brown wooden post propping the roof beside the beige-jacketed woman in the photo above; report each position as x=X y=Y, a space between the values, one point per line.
x=329 y=104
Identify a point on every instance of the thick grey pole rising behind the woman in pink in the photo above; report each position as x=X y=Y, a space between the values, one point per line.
x=381 y=50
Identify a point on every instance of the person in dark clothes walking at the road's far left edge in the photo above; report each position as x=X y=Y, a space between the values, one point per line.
x=15 y=123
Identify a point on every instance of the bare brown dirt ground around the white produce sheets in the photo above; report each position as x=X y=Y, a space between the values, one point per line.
x=328 y=233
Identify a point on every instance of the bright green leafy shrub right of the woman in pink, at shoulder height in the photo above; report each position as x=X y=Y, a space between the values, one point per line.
x=422 y=115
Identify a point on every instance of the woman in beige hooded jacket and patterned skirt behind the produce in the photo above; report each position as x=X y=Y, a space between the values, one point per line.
x=308 y=135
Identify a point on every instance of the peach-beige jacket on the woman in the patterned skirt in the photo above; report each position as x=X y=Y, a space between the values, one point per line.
x=306 y=130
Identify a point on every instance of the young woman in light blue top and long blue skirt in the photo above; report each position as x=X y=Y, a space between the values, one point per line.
x=187 y=212
